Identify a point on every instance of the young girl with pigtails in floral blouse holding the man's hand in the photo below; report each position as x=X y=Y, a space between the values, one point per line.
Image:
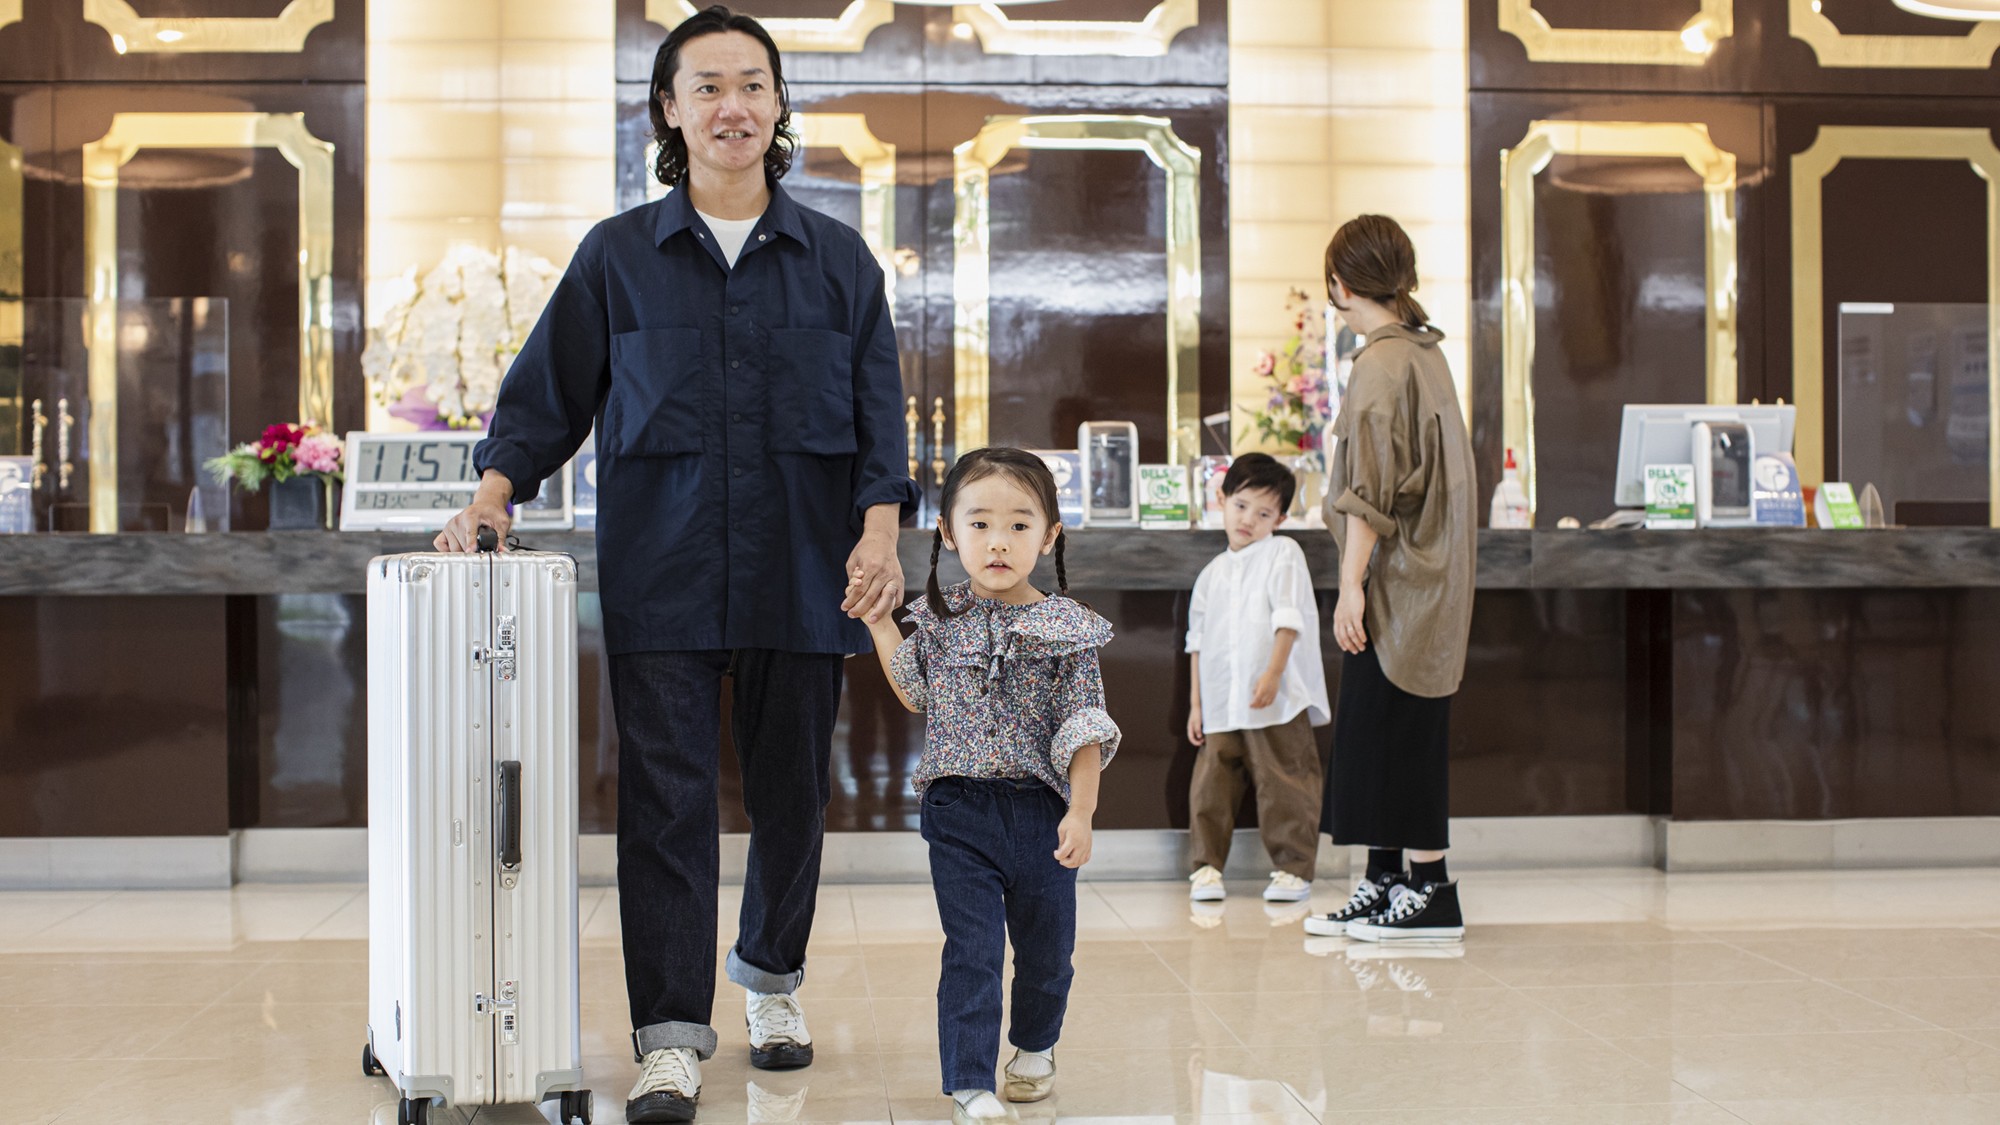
x=1013 y=746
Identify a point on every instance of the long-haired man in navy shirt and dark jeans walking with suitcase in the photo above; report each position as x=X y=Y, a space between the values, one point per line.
x=737 y=357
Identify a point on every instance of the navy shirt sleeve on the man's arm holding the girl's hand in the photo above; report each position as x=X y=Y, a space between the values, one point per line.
x=883 y=447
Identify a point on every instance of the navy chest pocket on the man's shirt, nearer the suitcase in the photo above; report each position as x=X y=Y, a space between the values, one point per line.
x=655 y=403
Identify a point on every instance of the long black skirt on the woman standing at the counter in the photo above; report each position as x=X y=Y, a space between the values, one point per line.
x=1389 y=780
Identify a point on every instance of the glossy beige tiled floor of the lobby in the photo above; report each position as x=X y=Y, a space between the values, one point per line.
x=1593 y=998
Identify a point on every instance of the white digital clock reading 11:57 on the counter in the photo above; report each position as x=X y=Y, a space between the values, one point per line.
x=421 y=481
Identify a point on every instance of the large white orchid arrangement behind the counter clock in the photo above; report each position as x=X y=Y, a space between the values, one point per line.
x=447 y=341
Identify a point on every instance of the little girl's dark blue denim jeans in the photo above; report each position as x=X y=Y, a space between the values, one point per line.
x=993 y=866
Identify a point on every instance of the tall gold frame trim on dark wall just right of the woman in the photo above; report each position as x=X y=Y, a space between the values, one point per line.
x=1545 y=141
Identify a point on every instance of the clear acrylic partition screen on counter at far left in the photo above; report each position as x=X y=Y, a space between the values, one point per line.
x=109 y=423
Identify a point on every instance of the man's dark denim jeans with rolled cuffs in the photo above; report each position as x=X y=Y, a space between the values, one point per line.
x=669 y=710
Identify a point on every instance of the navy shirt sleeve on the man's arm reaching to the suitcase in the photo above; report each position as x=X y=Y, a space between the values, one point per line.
x=551 y=395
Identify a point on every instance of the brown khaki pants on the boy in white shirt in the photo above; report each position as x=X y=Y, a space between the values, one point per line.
x=1285 y=766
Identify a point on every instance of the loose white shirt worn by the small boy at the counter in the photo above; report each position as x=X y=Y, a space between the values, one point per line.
x=1241 y=604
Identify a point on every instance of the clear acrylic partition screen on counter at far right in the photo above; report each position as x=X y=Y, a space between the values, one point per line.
x=1917 y=409
